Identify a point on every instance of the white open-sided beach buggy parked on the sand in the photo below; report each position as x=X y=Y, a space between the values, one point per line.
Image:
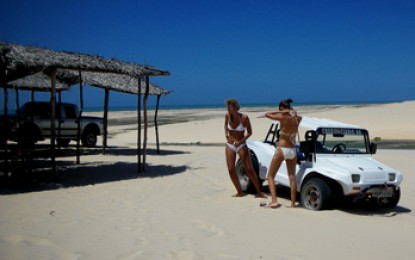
x=334 y=163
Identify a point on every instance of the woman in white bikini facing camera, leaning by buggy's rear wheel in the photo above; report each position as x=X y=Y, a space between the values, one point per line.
x=237 y=130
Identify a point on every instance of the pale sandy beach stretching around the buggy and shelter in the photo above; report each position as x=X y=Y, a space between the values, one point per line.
x=181 y=206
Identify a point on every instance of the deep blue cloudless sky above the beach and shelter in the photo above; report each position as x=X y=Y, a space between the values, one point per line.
x=256 y=51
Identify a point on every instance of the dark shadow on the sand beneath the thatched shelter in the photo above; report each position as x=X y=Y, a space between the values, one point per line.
x=36 y=174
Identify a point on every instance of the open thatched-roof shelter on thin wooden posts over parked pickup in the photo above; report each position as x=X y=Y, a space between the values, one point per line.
x=40 y=69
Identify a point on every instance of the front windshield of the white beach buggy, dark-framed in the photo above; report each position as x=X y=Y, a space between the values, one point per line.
x=342 y=141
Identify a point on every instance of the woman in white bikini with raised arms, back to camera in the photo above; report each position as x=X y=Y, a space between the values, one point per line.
x=289 y=122
